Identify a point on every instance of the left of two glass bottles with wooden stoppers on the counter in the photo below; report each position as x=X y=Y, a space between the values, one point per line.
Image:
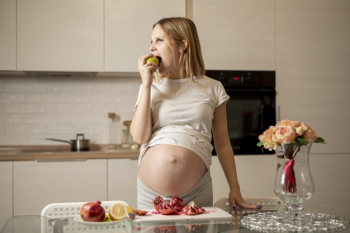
x=114 y=132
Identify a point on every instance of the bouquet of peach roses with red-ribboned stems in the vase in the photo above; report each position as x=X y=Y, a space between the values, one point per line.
x=290 y=136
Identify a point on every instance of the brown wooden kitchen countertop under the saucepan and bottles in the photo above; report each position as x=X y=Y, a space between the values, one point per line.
x=59 y=152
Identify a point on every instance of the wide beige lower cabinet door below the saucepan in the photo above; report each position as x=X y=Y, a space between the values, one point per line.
x=37 y=184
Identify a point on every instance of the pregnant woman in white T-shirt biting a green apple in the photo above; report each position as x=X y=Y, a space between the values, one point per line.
x=176 y=112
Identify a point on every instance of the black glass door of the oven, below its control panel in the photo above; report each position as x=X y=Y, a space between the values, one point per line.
x=249 y=113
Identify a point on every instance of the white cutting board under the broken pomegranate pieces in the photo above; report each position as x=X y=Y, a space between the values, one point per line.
x=211 y=214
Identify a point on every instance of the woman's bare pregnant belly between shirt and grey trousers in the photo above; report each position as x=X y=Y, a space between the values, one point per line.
x=170 y=170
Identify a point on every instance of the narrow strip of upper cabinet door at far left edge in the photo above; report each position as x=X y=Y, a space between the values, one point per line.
x=8 y=35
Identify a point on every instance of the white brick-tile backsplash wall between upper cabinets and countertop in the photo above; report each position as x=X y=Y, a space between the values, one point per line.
x=33 y=108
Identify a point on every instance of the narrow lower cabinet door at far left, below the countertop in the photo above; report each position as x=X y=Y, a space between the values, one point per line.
x=5 y=192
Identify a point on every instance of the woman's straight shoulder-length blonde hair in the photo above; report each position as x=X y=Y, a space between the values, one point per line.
x=191 y=62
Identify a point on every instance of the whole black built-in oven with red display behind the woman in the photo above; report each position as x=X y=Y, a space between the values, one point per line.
x=251 y=108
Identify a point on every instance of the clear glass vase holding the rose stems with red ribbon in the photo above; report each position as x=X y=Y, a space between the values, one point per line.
x=293 y=181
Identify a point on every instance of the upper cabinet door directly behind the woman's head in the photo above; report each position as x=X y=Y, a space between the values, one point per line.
x=128 y=28
